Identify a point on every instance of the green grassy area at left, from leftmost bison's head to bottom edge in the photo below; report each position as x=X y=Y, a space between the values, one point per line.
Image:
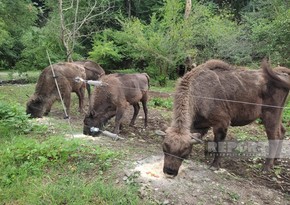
x=40 y=166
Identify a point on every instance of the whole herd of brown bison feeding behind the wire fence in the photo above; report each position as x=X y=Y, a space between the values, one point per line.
x=213 y=95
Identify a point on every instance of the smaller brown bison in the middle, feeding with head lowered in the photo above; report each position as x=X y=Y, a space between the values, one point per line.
x=112 y=99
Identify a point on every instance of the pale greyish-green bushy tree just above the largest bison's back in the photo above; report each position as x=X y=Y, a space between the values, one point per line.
x=216 y=35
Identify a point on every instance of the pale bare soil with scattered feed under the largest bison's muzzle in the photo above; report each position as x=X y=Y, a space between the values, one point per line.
x=196 y=184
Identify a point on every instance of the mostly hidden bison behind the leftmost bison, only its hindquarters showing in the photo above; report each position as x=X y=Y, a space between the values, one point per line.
x=93 y=71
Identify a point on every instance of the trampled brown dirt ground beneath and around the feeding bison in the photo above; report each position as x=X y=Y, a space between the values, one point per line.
x=240 y=181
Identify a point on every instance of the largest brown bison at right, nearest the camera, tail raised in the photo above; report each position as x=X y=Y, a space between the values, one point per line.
x=211 y=95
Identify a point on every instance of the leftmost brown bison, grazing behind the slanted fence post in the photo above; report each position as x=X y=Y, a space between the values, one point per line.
x=46 y=92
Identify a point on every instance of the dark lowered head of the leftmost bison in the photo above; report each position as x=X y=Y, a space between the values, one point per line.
x=35 y=107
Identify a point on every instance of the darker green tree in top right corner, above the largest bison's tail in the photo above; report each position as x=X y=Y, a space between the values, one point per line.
x=268 y=26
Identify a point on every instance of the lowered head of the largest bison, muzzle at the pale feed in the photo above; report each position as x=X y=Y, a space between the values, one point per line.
x=176 y=147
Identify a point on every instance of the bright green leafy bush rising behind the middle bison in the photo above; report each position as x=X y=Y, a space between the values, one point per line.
x=162 y=44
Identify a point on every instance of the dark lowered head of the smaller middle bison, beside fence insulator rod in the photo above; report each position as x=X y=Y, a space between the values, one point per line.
x=98 y=119
